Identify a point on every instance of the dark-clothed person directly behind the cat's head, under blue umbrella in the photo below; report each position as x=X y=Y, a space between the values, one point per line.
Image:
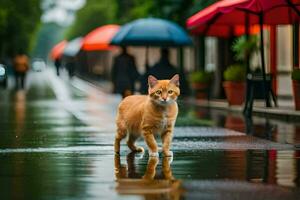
x=163 y=69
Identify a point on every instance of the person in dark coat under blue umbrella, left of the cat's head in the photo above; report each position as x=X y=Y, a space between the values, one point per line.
x=124 y=73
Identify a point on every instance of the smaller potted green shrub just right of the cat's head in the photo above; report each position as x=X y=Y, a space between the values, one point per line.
x=200 y=83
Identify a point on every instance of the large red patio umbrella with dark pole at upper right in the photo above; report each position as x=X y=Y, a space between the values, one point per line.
x=246 y=12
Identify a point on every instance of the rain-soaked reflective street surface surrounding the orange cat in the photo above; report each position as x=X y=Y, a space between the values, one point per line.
x=57 y=143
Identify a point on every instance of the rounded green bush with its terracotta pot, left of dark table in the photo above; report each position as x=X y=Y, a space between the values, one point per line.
x=234 y=84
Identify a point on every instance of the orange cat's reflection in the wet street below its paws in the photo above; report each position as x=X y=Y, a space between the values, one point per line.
x=150 y=184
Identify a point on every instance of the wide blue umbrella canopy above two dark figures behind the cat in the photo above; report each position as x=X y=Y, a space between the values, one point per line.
x=151 y=32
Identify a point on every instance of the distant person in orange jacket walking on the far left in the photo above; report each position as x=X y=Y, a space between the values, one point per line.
x=21 y=66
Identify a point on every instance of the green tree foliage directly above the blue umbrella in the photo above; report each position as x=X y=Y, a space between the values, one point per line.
x=100 y=12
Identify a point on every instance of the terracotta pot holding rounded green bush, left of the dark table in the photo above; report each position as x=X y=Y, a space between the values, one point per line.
x=235 y=92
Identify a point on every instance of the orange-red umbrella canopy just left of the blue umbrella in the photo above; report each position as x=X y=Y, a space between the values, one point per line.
x=100 y=38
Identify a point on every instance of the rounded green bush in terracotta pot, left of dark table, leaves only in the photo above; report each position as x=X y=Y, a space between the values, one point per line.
x=235 y=73
